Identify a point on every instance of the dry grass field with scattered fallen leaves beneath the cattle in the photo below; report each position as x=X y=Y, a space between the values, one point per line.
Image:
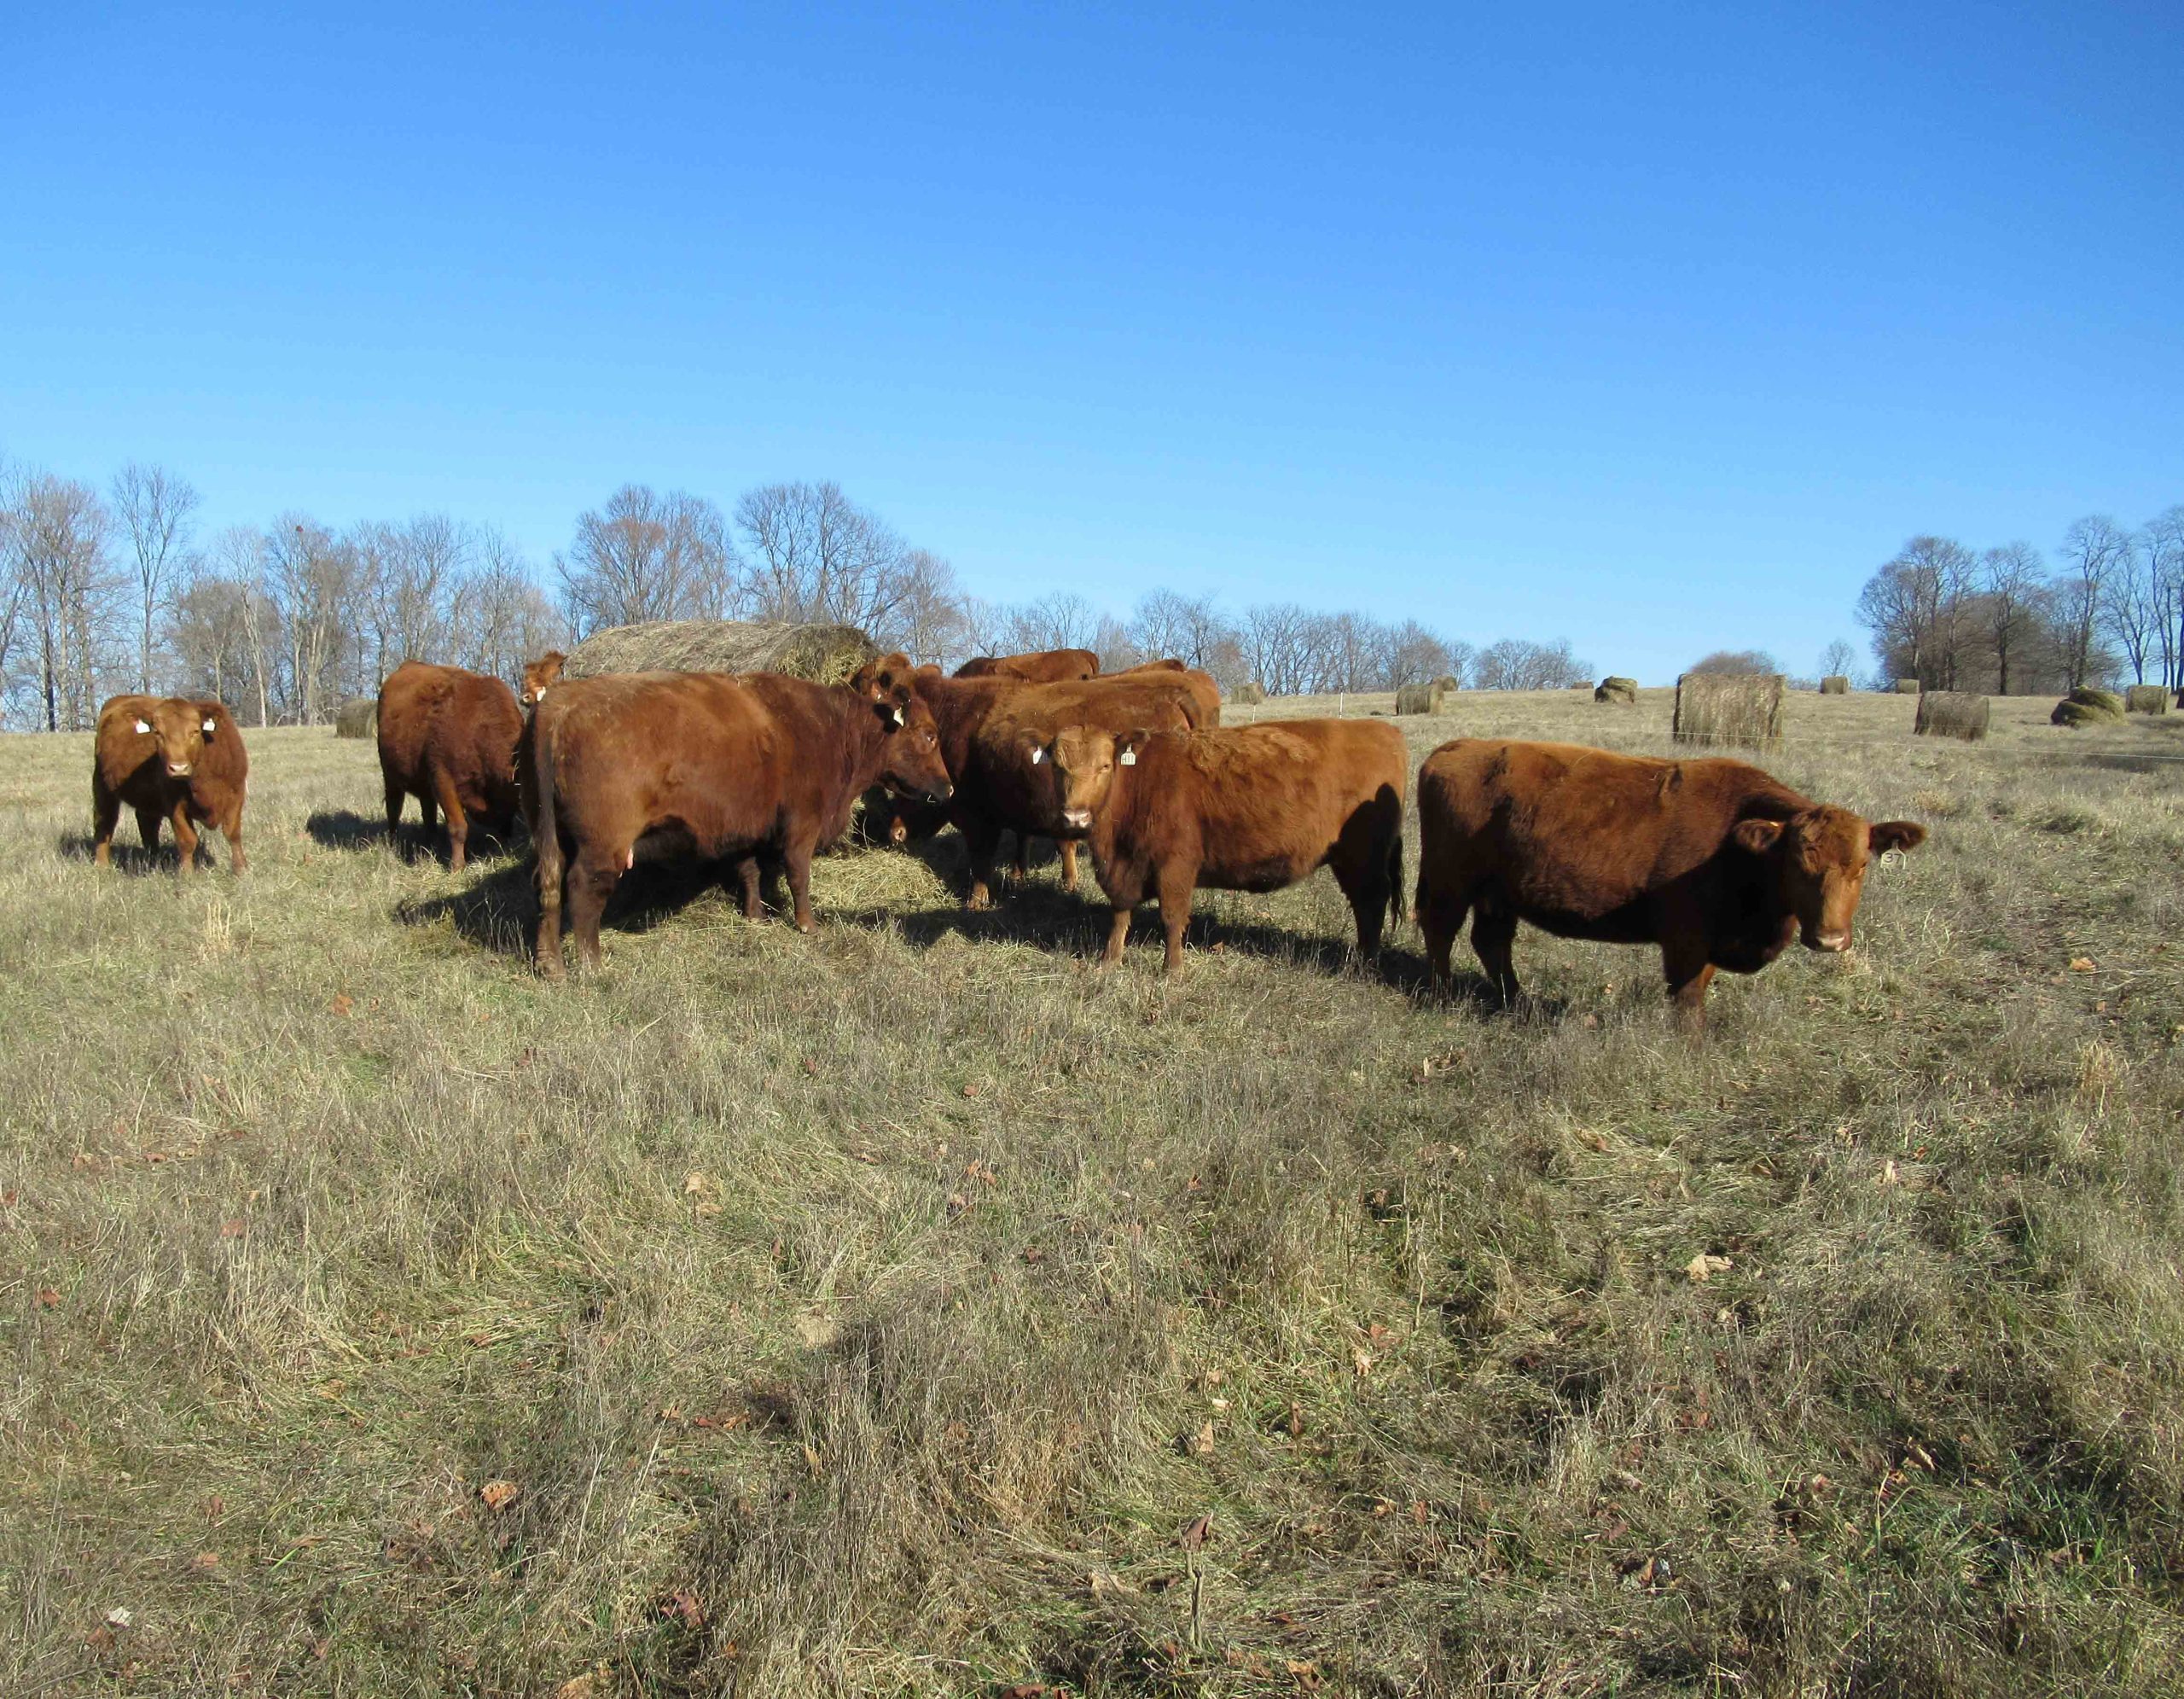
x=879 y=1314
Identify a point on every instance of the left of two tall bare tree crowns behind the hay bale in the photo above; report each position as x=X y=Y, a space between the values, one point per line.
x=645 y=558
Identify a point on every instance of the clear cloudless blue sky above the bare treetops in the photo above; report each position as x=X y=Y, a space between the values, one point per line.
x=1648 y=329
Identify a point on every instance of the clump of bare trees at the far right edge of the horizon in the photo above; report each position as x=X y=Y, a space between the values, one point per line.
x=2010 y=623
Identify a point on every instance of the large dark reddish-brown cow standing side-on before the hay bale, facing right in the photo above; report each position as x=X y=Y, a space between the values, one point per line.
x=711 y=765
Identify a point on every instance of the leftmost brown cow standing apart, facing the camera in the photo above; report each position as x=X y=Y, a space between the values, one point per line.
x=176 y=759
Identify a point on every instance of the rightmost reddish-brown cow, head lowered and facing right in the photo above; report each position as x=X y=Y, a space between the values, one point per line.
x=1711 y=859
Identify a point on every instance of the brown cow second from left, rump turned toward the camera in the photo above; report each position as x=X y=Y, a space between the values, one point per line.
x=449 y=739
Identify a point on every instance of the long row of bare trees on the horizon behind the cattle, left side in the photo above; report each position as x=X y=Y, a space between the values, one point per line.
x=115 y=589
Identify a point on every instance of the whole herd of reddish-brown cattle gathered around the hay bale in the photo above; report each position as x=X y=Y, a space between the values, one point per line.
x=1713 y=862
